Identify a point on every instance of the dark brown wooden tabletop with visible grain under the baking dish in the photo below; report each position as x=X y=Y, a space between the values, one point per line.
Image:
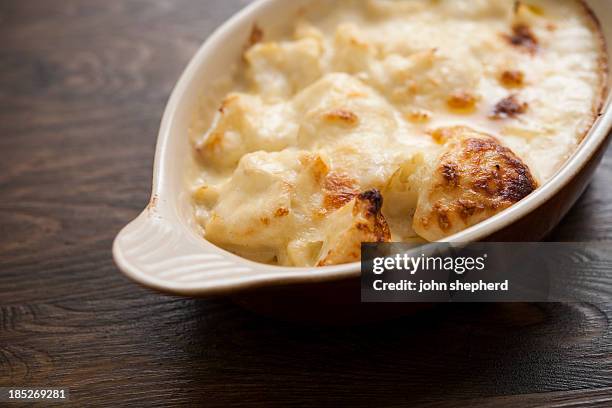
x=82 y=87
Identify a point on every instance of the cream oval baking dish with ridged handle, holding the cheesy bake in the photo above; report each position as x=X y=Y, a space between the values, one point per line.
x=161 y=248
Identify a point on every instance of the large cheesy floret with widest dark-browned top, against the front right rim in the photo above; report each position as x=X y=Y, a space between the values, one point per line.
x=475 y=178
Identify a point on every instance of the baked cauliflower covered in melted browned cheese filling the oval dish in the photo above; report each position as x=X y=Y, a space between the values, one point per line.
x=402 y=120
